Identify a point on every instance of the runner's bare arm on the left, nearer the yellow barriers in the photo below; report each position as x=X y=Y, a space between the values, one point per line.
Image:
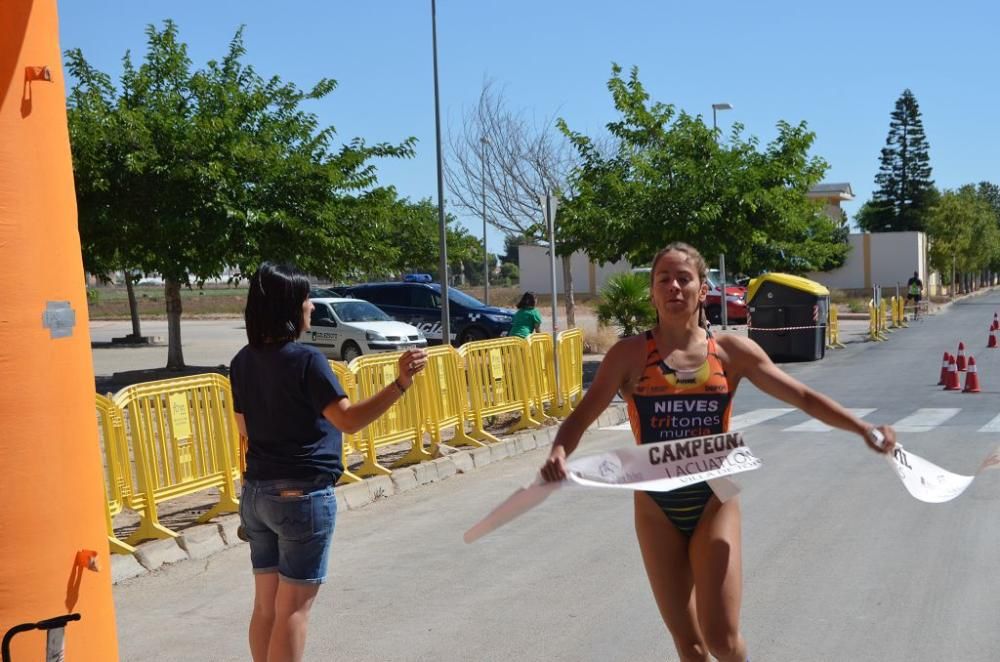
x=610 y=376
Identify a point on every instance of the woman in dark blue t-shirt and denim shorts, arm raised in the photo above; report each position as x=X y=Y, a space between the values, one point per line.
x=292 y=410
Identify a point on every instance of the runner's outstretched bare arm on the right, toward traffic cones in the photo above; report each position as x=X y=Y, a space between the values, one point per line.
x=750 y=361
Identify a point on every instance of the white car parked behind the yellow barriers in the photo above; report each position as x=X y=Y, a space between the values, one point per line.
x=349 y=328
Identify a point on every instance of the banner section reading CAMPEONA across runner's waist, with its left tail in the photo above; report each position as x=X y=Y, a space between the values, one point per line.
x=657 y=467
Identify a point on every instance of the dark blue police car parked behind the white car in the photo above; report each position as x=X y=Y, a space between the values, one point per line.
x=418 y=302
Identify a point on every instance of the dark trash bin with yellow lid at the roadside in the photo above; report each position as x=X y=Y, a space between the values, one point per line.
x=788 y=316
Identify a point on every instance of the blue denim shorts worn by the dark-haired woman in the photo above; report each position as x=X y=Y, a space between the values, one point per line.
x=289 y=525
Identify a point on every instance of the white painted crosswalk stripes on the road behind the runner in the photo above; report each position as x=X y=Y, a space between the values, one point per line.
x=920 y=420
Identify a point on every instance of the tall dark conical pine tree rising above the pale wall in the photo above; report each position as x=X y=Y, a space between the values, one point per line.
x=905 y=191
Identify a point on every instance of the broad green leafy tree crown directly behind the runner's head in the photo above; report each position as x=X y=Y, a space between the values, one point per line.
x=667 y=178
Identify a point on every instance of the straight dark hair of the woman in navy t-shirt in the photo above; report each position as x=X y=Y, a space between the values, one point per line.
x=274 y=304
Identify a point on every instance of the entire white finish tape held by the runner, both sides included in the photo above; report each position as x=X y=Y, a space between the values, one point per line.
x=668 y=465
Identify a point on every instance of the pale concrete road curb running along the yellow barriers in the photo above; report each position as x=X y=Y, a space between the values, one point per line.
x=205 y=540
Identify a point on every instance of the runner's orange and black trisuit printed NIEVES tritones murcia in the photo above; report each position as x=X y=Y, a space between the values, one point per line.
x=675 y=404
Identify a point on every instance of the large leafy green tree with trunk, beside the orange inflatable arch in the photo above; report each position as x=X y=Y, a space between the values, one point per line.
x=183 y=173
